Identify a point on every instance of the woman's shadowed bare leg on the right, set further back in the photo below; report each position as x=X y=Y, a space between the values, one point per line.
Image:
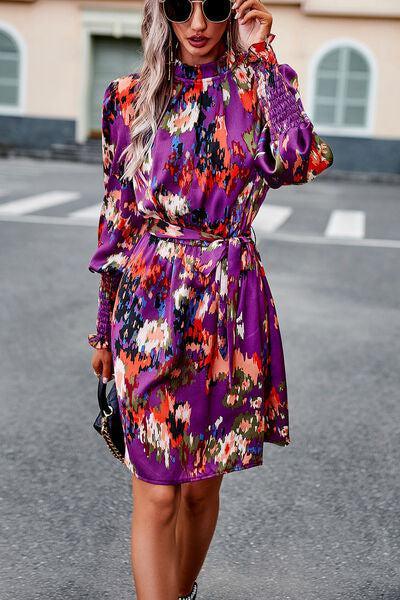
x=197 y=519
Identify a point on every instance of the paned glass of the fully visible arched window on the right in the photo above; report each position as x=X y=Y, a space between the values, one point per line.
x=342 y=89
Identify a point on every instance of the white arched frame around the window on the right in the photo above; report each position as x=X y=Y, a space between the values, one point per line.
x=344 y=131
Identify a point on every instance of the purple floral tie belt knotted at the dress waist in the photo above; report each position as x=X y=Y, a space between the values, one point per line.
x=230 y=247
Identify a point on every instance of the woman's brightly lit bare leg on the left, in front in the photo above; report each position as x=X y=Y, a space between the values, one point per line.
x=153 y=553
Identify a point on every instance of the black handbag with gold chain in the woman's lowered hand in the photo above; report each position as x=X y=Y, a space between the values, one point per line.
x=108 y=422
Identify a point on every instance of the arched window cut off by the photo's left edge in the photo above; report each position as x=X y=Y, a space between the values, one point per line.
x=9 y=70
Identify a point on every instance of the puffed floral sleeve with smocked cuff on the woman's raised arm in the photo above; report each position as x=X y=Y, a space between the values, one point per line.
x=289 y=151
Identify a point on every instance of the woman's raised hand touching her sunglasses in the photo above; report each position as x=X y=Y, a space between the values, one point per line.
x=253 y=19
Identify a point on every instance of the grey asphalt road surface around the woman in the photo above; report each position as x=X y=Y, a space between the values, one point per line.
x=319 y=520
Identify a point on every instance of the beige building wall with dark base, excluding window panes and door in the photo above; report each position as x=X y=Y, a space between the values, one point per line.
x=56 y=64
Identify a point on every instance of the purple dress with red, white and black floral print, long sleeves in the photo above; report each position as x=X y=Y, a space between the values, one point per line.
x=184 y=303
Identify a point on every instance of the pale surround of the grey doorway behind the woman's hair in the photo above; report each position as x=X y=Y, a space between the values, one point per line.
x=110 y=22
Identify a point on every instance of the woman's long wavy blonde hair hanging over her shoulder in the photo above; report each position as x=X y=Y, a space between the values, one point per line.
x=153 y=94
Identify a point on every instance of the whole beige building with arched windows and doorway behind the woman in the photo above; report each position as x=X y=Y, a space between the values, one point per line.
x=57 y=56
